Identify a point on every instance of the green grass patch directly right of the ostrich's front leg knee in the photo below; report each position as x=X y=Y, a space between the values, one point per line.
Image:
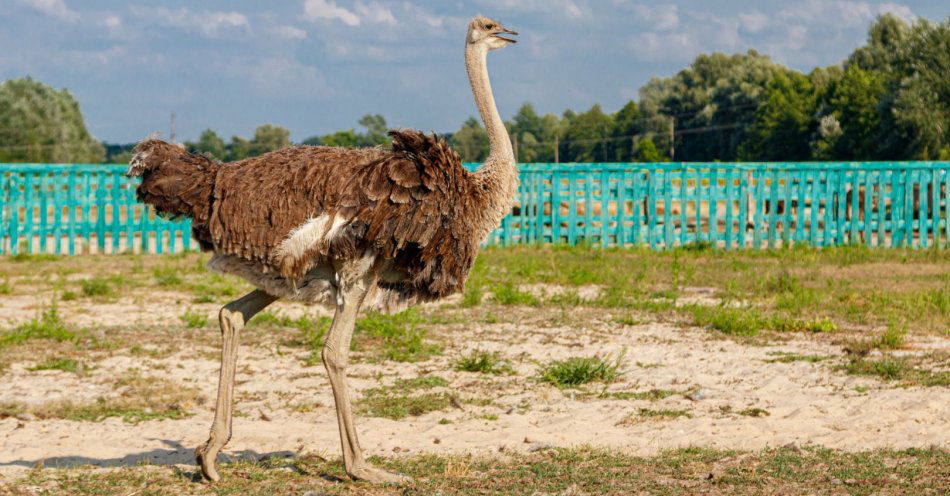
x=397 y=337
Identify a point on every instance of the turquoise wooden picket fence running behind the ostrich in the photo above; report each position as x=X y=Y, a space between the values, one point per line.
x=70 y=209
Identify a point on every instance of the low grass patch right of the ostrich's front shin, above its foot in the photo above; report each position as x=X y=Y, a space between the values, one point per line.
x=403 y=398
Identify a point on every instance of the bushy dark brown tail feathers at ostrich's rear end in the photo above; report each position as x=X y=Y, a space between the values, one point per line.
x=175 y=182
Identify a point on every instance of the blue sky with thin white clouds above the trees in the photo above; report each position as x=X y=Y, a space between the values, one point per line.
x=316 y=66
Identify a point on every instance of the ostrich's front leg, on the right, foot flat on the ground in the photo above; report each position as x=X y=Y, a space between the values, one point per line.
x=335 y=358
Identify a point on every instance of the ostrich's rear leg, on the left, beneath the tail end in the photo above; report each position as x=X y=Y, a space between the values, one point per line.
x=232 y=318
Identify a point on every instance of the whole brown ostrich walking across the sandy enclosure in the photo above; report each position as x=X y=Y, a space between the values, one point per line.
x=347 y=228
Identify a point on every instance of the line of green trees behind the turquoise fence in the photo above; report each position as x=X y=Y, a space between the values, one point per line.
x=889 y=100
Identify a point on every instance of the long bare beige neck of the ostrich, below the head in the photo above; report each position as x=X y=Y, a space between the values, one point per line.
x=476 y=64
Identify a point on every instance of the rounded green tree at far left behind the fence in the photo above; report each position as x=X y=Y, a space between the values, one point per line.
x=43 y=125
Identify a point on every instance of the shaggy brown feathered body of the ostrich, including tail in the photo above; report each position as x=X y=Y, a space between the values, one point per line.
x=290 y=210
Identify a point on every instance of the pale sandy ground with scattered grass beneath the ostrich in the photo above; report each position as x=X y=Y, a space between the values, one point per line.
x=807 y=403
